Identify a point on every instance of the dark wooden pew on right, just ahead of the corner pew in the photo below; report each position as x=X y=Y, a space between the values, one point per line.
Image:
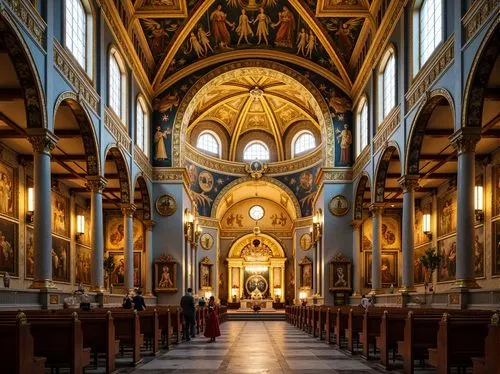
x=458 y=339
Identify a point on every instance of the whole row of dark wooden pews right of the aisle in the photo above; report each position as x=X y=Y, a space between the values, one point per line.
x=443 y=338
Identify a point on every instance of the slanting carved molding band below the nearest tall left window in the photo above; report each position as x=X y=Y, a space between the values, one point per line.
x=75 y=76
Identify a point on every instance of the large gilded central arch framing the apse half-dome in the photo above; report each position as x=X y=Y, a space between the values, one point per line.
x=189 y=102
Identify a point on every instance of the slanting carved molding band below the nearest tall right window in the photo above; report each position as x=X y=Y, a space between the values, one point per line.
x=442 y=58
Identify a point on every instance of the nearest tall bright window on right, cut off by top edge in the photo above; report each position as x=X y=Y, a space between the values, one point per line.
x=430 y=29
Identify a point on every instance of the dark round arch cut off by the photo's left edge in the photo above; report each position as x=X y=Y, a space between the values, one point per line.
x=34 y=100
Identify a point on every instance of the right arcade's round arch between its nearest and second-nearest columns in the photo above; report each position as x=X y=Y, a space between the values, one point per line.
x=417 y=132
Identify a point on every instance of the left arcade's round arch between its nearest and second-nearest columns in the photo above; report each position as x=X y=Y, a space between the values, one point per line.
x=87 y=130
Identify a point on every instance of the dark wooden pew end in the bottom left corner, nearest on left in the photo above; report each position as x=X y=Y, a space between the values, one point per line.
x=17 y=348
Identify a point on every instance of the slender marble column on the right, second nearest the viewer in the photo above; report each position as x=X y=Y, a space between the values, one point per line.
x=408 y=183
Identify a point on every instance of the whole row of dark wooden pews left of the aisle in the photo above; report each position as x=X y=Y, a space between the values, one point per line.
x=33 y=340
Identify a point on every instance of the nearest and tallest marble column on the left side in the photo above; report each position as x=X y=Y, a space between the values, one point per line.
x=43 y=142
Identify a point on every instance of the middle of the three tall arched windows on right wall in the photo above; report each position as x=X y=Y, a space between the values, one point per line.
x=387 y=84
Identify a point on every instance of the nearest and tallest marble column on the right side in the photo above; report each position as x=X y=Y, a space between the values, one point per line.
x=464 y=141
